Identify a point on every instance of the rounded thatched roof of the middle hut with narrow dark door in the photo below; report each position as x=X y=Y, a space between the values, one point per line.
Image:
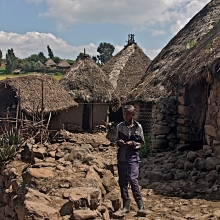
x=85 y=80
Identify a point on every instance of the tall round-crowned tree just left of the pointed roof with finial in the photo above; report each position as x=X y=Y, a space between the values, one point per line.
x=105 y=50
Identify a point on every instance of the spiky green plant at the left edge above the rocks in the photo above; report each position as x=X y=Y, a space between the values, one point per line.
x=10 y=143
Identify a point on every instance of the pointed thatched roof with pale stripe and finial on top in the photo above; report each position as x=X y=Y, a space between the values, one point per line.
x=126 y=68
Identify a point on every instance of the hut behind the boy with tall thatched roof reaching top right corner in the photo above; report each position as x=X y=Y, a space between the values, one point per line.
x=151 y=88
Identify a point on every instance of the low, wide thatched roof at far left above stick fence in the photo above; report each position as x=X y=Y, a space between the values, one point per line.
x=29 y=89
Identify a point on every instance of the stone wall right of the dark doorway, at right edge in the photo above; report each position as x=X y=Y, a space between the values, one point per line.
x=212 y=123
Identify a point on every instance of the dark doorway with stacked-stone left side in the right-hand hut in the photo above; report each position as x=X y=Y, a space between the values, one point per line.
x=191 y=114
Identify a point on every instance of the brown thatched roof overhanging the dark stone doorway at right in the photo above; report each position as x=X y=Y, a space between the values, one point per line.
x=201 y=62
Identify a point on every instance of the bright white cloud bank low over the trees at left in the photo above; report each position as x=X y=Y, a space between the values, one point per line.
x=33 y=42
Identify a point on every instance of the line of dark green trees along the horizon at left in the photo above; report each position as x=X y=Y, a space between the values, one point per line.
x=31 y=63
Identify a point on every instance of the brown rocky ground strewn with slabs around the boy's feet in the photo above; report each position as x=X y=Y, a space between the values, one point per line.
x=76 y=178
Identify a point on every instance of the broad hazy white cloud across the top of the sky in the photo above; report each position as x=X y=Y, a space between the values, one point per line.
x=135 y=13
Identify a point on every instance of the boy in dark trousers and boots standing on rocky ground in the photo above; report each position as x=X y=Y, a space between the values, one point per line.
x=129 y=139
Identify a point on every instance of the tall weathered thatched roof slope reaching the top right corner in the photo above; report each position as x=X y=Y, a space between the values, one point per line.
x=151 y=87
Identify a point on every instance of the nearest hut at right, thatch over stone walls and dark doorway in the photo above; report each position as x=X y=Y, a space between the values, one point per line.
x=198 y=91
